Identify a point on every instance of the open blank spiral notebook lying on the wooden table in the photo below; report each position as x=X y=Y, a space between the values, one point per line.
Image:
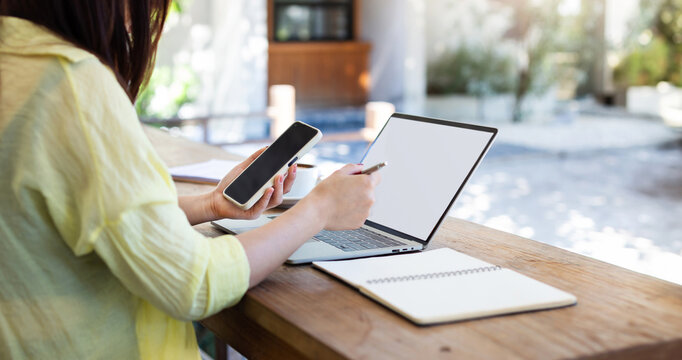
x=444 y=285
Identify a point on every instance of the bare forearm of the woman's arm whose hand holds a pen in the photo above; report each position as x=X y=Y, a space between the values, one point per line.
x=269 y=246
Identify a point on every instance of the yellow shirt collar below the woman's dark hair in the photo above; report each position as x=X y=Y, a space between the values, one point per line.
x=22 y=37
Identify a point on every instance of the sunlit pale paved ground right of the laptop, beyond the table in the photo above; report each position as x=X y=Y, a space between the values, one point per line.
x=623 y=207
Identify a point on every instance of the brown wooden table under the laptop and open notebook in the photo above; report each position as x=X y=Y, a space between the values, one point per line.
x=299 y=312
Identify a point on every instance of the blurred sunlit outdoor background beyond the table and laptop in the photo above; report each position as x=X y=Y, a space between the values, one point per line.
x=587 y=95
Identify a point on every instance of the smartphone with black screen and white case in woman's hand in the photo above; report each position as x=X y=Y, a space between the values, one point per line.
x=249 y=186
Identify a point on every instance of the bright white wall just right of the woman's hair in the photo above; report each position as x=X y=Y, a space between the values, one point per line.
x=225 y=43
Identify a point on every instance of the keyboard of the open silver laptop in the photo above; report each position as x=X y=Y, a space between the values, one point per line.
x=353 y=240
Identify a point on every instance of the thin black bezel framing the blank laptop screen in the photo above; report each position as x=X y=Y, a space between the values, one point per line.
x=487 y=129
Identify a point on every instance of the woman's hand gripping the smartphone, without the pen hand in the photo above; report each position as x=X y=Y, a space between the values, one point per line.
x=222 y=208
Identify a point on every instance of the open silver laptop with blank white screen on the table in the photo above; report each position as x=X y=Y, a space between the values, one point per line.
x=429 y=162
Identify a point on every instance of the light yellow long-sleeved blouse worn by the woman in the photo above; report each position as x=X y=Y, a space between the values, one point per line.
x=96 y=258
